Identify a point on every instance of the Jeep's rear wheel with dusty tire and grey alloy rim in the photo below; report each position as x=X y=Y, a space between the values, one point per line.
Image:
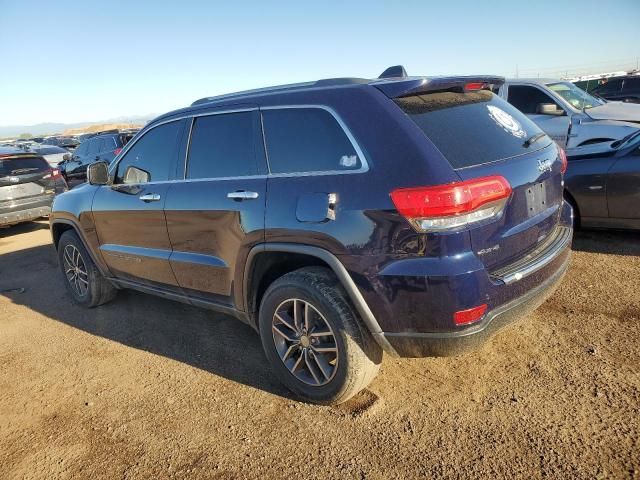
x=326 y=369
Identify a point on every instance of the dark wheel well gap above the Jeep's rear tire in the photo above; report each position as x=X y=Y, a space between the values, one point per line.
x=267 y=267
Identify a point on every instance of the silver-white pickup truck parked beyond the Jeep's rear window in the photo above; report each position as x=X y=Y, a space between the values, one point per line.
x=568 y=114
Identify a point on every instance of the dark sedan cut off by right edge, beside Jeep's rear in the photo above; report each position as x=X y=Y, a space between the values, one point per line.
x=603 y=183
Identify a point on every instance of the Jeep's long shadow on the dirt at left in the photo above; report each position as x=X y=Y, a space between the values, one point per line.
x=213 y=342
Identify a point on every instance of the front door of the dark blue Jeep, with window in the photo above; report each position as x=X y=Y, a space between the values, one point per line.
x=128 y=214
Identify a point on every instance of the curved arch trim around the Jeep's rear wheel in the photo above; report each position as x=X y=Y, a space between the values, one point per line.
x=264 y=264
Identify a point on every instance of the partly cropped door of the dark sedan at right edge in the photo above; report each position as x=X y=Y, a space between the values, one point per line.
x=623 y=186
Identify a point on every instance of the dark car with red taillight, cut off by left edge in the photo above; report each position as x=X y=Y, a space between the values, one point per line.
x=28 y=185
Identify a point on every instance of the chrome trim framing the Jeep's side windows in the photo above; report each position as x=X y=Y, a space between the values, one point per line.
x=364 y=167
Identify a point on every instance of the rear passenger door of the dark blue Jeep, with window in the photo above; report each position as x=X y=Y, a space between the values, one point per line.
x=216 y=215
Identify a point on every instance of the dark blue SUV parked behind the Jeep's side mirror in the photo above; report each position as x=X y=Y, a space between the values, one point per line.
x=99 y=147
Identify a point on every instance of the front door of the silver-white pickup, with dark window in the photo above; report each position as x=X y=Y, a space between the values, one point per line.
x=528 y=98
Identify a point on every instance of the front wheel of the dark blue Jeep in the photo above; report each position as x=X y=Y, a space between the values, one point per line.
x=83 y=280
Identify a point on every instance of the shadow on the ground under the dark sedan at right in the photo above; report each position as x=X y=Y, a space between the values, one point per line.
x=607 y=241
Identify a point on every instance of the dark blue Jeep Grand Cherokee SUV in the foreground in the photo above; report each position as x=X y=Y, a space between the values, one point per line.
x=341 y=219
